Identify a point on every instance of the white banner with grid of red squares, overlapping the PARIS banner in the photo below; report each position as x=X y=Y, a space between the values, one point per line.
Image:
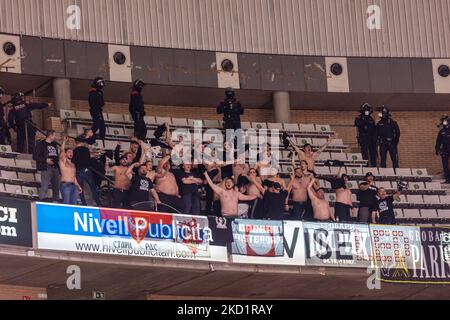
x=396 y=248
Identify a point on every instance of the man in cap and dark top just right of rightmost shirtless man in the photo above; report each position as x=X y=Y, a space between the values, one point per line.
x=367 y=197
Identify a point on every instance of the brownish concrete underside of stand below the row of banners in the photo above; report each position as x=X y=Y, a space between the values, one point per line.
x=135 y=278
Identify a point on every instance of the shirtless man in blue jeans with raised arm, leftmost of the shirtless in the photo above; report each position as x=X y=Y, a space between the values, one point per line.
x=69 y=184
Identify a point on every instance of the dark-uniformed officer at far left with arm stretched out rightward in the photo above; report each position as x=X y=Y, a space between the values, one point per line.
x=20 y=117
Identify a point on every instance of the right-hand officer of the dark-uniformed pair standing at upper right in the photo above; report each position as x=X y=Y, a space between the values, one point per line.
x=388 y=137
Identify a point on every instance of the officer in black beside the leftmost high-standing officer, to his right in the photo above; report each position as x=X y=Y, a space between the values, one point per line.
x=137 y=110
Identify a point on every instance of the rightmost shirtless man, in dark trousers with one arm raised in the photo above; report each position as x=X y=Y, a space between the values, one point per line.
x=344 y=203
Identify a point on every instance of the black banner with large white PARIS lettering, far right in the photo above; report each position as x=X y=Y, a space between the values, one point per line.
x=434 y=264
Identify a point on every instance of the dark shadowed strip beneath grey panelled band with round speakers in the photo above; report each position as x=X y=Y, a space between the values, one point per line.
x=209 y=97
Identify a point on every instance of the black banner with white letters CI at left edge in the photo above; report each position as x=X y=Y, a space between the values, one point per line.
x=15 y=222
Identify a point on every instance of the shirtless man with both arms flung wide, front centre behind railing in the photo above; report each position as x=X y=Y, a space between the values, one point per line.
x=229 y=197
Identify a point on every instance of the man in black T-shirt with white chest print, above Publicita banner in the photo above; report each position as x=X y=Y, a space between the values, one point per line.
x=142 y=189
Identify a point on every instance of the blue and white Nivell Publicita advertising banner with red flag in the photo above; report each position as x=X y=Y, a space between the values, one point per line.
x=125 y=232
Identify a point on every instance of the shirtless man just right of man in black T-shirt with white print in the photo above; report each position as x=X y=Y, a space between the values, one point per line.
x=166 y=185
